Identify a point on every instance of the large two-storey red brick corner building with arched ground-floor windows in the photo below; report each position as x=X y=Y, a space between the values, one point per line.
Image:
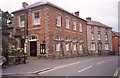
x=52 y=31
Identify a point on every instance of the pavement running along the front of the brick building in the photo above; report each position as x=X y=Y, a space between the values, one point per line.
x=40 y=65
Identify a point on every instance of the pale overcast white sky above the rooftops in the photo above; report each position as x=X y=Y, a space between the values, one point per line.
x=104 y=11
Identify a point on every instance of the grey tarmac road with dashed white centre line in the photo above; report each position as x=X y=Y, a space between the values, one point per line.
x=104 y=66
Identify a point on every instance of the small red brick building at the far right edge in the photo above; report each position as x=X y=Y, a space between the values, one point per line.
x=115 y=42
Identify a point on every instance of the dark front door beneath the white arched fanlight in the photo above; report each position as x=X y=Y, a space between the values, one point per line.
x=33 y=48
